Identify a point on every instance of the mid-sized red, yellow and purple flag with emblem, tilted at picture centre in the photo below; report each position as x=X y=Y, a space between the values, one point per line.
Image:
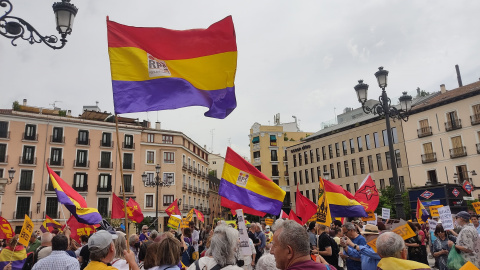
x=243 y=184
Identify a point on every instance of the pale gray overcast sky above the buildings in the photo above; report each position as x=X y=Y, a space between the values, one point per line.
x=297 y=58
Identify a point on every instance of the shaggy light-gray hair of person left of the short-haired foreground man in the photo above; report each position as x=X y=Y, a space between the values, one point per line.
x=223 y=245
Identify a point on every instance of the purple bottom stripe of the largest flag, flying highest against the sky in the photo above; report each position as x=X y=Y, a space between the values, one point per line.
x=171 y=93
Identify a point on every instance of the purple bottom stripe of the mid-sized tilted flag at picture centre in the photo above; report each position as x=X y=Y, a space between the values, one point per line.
x=249 y=198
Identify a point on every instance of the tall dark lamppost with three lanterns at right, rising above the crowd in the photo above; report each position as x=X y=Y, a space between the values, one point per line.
x=384 y=108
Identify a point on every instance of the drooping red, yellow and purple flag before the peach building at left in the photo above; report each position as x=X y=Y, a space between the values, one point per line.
x=73 y=201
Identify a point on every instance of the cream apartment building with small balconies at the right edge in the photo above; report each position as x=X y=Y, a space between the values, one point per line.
x=443 y=142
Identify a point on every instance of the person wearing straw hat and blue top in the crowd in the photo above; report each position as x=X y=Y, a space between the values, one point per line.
x=368 y=257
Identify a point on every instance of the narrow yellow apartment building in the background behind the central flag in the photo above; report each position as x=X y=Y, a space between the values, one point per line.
x=268 y=146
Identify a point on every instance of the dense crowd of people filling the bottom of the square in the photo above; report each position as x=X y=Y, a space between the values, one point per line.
x=285 y=245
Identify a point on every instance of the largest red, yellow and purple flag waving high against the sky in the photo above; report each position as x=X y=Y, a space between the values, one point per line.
x=161 y=69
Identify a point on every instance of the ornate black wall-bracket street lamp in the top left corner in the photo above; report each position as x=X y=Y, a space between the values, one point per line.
x=14 y=28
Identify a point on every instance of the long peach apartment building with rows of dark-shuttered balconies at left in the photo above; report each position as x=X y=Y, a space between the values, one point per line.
x=83 y=152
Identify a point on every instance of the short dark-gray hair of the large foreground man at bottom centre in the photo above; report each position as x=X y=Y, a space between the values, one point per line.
x=295 y=236
